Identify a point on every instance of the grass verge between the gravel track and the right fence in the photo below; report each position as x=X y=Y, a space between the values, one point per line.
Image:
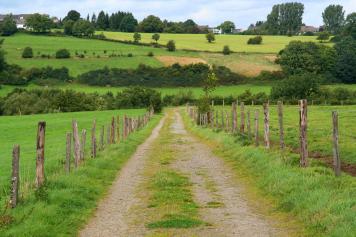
x=326 y=205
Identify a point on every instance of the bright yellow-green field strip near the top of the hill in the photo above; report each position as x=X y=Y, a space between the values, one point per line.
x=237 y=43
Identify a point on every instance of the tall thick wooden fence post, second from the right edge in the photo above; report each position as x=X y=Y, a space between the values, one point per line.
x=303 y=125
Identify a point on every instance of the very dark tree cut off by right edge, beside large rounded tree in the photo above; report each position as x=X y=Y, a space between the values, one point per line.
x=345 y=68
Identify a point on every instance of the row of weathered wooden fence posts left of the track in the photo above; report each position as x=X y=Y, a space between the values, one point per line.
x=75 y=148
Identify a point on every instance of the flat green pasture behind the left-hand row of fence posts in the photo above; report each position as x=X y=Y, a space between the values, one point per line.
x=22 y=130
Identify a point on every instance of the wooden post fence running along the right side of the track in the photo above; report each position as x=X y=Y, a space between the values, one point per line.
x=311 y=132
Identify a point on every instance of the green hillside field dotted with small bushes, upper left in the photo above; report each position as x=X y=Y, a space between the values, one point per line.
x=14 y=46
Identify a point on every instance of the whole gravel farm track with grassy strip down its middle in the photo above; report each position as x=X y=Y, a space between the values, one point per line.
x=175 y=186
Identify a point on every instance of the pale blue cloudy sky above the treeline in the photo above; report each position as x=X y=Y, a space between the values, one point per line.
x=203 y=12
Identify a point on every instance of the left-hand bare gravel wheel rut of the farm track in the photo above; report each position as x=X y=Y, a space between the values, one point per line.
x=113 y=214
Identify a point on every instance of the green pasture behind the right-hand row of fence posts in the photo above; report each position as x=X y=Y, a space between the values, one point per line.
x=319 y=129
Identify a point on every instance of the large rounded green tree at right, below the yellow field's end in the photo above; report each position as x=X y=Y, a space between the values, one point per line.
x=303 y=57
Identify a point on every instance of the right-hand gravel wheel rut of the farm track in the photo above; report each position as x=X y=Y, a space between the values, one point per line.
x=222 y=200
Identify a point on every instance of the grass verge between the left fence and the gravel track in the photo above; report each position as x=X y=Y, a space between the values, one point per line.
x=67 y=202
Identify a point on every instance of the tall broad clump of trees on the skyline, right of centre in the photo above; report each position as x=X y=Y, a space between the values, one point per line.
x=285 y=19
